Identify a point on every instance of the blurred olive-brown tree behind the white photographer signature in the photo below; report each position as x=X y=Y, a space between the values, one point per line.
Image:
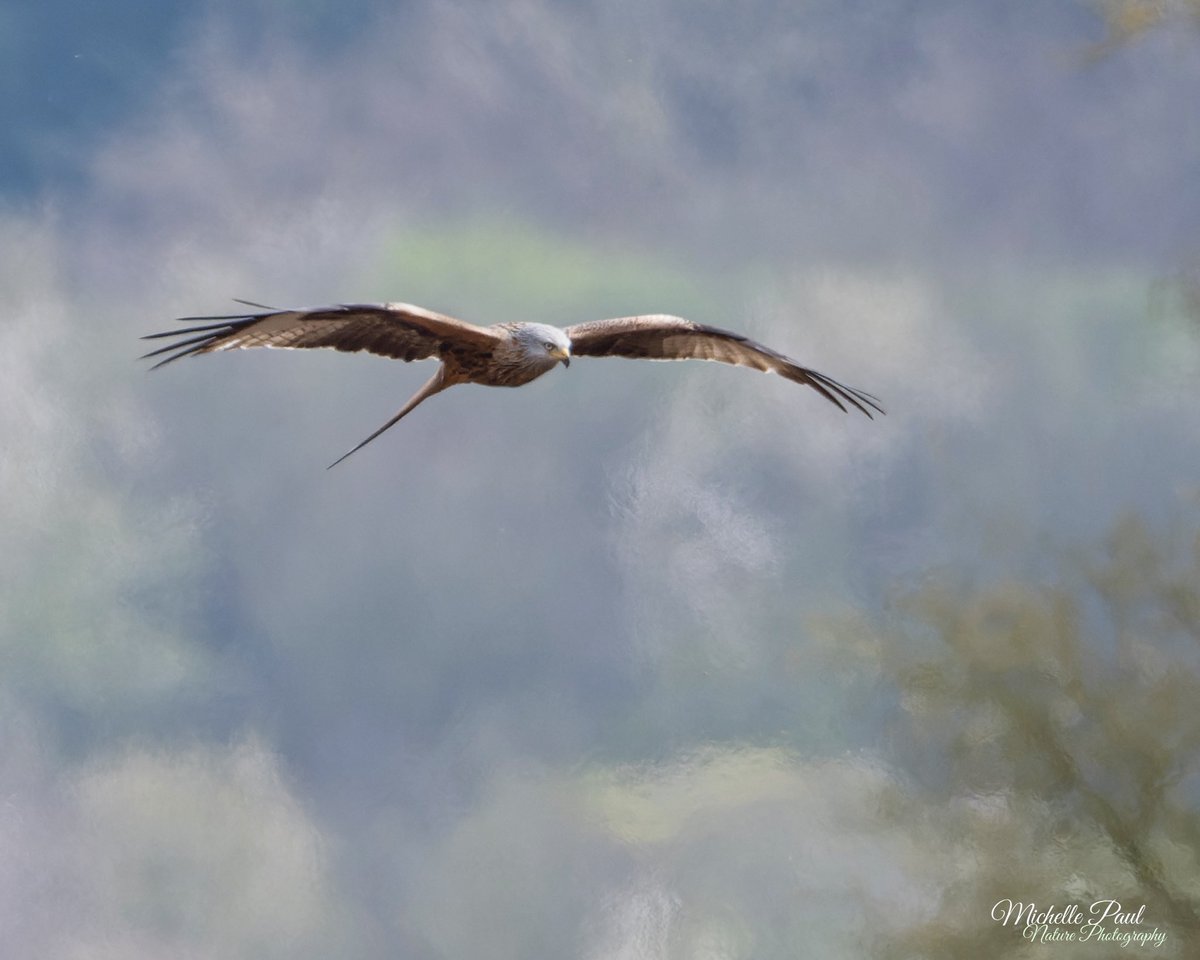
x=1057 y=733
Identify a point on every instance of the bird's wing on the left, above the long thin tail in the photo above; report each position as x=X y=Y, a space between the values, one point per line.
x=398 y=331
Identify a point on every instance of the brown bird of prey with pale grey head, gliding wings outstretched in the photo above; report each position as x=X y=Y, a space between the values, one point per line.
x=507 y=355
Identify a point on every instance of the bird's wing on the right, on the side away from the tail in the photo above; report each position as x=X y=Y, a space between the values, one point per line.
x=663 y=338
